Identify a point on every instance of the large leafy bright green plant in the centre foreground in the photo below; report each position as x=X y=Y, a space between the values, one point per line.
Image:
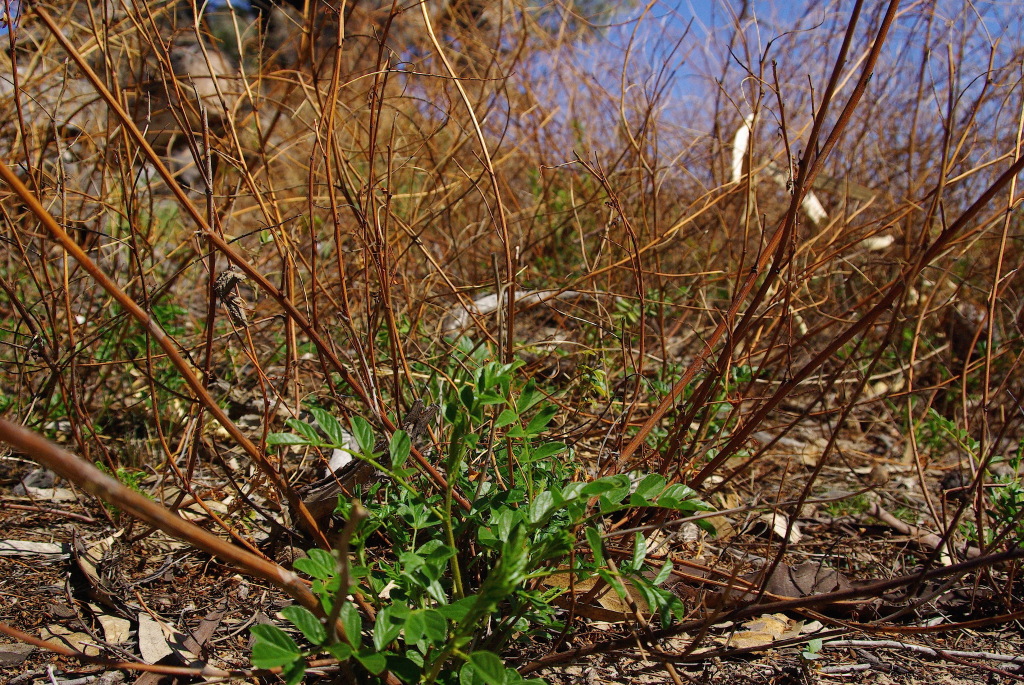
x=453 y=587
